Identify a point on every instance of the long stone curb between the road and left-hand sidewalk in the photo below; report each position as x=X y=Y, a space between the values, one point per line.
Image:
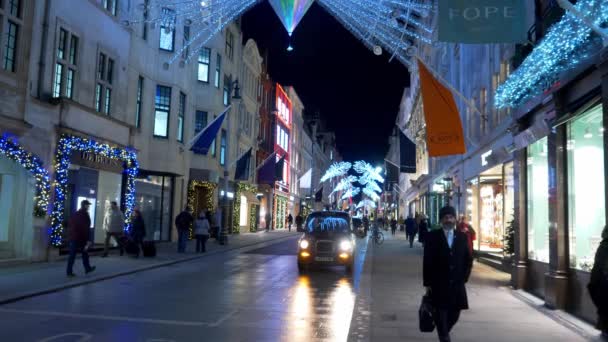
x=132 y=271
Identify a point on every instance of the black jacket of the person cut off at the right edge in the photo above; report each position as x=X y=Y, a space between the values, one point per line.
x=599 y=279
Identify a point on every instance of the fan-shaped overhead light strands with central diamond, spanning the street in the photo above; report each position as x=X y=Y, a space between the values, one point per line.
x=392 y=26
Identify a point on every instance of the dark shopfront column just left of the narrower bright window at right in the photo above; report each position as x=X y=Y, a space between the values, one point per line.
x=520 y=257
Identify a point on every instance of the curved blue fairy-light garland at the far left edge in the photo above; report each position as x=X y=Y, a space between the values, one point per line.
x=13 y=151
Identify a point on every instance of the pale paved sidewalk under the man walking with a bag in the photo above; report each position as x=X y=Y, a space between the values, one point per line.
x=391 y=289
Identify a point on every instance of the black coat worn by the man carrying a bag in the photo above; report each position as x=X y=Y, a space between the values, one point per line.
x=446 y=270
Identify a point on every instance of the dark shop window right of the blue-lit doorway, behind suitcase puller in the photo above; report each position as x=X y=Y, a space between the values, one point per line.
x=154 y=198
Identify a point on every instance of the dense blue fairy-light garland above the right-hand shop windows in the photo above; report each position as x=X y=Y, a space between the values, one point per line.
x=567 y=44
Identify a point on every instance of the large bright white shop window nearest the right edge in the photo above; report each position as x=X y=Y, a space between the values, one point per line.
x=586 y=205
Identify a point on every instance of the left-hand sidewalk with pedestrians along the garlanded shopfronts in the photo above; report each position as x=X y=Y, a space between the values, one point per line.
x=25 y=281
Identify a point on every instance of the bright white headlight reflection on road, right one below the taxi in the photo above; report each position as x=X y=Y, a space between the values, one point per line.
x=343 y=302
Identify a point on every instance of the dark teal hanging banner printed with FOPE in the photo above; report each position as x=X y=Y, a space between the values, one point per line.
x=483 y=21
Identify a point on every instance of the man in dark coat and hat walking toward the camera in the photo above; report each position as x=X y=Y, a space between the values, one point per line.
x=446 y=268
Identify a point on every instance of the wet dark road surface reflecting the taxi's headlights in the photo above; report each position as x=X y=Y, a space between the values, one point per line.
x=254 y=294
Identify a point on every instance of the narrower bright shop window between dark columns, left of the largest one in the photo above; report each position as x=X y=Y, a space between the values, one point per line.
x=538 y=201
